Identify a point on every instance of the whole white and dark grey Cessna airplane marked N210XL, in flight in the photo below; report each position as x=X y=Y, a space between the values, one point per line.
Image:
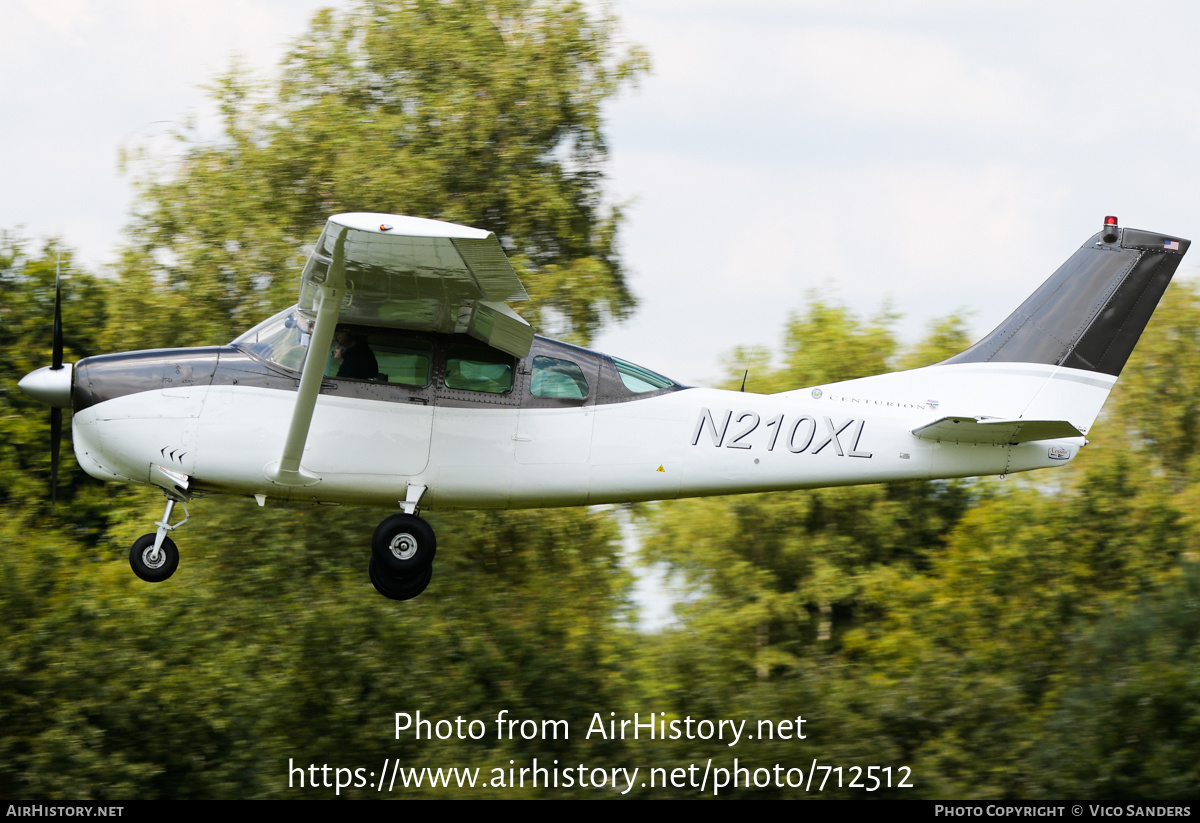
x=439 y=394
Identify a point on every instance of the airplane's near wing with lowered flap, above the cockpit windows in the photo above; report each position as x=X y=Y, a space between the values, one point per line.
x=410 y=273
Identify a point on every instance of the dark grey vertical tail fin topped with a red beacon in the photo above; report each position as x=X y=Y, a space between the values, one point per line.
x=1094 y=309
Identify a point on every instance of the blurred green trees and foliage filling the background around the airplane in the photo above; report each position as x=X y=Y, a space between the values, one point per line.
x=1034 y=638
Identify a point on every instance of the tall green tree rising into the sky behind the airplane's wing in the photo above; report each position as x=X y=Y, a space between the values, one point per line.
x=478 y=113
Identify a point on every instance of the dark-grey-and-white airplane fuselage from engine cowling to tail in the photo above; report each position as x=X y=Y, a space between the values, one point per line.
x=219 y=416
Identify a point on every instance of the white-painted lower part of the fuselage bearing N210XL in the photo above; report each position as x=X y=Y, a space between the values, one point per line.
x=691 y=443
